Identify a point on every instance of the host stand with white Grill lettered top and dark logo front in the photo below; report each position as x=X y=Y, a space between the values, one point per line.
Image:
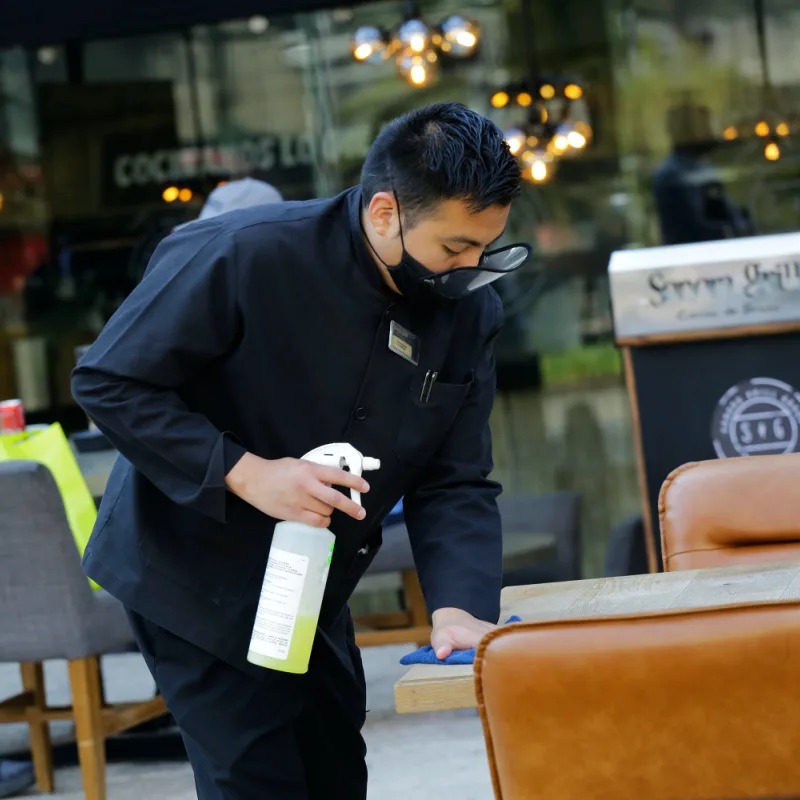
x=711 y=343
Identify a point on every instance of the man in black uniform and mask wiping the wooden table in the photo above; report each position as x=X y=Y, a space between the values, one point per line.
x=255 y=337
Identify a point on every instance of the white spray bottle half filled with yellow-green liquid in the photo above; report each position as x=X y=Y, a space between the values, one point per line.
x=297 y=571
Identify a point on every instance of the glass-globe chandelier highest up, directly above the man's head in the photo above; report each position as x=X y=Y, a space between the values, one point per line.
x=417 y=48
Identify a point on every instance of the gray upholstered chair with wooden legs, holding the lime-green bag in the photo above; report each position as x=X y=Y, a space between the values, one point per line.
x=49 y=611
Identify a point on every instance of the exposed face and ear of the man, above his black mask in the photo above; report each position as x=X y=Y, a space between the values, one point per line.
x=447 y=237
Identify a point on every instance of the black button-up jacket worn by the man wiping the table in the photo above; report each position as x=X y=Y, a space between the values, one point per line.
x=267 y=330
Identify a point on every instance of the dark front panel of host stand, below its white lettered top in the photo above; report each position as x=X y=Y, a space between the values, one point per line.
x=699 y=400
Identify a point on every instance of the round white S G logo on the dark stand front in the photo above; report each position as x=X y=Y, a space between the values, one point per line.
x=760 y=416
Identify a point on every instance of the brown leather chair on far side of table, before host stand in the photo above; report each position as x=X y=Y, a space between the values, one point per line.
x=731 y=511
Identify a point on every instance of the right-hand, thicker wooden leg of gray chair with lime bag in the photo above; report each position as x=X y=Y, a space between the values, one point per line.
x=84 y=676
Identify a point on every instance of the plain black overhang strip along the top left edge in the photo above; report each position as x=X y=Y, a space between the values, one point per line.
x=33 y=23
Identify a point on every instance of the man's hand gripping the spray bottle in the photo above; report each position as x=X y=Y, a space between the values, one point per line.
x=294 y=489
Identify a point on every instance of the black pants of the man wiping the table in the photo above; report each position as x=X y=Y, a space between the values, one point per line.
x=288 y=737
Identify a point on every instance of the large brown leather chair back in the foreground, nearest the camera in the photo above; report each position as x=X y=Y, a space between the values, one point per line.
x=682 y=705
